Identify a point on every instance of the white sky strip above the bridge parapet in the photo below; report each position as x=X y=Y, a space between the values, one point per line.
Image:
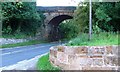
x=57 y=2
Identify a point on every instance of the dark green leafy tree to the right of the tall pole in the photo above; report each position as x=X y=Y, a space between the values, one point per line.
x=108 y=16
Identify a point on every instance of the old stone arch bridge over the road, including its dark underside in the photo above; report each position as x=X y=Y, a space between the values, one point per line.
x=54 y=16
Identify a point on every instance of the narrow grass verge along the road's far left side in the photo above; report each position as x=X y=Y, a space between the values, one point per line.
x=31 y=42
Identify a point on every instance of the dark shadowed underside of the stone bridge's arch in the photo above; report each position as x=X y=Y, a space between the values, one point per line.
x=54 y=34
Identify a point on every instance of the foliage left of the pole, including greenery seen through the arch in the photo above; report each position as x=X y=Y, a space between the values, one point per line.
x=78 y=24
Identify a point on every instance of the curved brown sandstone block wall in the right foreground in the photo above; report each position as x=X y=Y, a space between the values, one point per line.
x=85 y=57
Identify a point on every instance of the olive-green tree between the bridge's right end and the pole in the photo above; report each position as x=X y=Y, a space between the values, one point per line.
x=81 y=17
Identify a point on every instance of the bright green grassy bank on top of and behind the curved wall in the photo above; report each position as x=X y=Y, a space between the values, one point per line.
x=103 y=38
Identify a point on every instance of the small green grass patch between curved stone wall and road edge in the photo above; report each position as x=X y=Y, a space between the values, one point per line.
x=45 y=65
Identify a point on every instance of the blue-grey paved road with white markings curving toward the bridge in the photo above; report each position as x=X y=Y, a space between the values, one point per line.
x=11 y=56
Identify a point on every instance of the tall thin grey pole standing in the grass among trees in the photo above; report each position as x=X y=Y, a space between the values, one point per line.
x=90 y=19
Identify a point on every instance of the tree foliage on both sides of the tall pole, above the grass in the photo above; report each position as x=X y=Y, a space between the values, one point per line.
x=105 y=17
